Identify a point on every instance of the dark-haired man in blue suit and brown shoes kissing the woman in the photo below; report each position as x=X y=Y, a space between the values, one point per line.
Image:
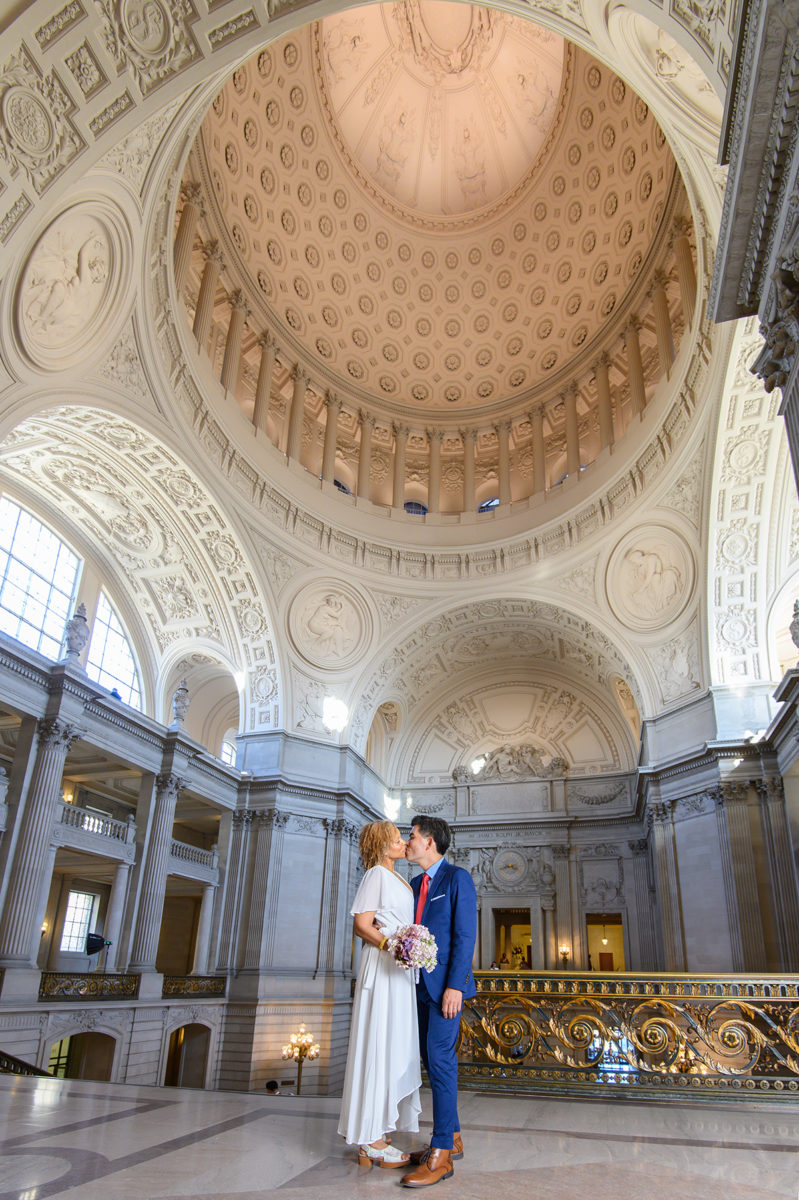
x=447 y=903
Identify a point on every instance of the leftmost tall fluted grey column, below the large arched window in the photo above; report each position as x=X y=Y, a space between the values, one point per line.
x=21 y=926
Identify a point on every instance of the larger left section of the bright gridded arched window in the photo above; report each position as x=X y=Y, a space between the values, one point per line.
x=39 y=578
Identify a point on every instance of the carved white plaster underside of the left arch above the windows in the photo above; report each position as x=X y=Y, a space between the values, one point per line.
x=182 y=565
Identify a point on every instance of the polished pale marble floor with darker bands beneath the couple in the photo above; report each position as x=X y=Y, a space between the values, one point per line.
x=101 y=1142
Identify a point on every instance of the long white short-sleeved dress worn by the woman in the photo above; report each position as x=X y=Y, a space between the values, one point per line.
x=383 y=1076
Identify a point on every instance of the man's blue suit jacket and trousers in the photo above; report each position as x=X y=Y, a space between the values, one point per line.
x=450 y=914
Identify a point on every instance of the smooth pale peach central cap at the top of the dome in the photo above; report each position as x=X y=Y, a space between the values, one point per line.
x=444 y=107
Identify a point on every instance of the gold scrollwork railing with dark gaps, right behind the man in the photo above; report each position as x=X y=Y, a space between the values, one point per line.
x=653 y=1035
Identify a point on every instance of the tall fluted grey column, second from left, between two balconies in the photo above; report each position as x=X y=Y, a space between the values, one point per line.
x=154 y=875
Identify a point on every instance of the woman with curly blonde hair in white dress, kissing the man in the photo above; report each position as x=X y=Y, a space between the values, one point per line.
x=383 y=1076
